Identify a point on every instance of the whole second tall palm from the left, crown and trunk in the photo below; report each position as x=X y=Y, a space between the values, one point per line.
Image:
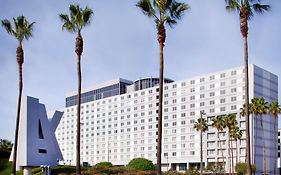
x=78 y=19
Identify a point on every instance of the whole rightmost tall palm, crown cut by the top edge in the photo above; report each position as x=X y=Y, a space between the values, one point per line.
x=246 y=9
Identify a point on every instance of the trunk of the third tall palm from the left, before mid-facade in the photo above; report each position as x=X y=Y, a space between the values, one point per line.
x=161 y=40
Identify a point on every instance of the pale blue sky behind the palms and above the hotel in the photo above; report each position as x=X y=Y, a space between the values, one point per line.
x=122 y=42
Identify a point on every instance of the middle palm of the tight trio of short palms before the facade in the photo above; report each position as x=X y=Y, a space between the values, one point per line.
x=230 y=123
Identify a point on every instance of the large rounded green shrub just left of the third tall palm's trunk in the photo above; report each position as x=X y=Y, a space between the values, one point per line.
x=141 y=164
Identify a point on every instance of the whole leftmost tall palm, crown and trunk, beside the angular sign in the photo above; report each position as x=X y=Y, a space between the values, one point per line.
x=21 y=30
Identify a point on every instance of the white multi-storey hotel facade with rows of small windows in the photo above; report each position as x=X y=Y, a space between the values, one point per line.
x=122 y=127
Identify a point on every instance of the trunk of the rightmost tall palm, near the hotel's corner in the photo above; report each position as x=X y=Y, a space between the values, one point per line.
x=244 y=31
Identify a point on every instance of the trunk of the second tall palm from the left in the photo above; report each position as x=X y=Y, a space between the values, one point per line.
x=78 y=50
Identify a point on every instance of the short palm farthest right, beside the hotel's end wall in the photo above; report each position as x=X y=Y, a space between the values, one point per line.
x=274 y=110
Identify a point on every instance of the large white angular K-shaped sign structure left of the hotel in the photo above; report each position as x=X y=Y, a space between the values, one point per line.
x=37 y=144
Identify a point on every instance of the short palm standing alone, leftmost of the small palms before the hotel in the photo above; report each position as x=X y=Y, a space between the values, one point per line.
x=202 y=126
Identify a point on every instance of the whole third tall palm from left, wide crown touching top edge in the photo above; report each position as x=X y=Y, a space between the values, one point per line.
x=162 y=12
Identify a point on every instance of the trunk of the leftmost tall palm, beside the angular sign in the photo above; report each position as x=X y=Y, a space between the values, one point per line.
x=20 y=60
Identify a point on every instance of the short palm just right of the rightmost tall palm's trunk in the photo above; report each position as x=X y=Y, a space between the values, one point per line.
x=260 y=109
